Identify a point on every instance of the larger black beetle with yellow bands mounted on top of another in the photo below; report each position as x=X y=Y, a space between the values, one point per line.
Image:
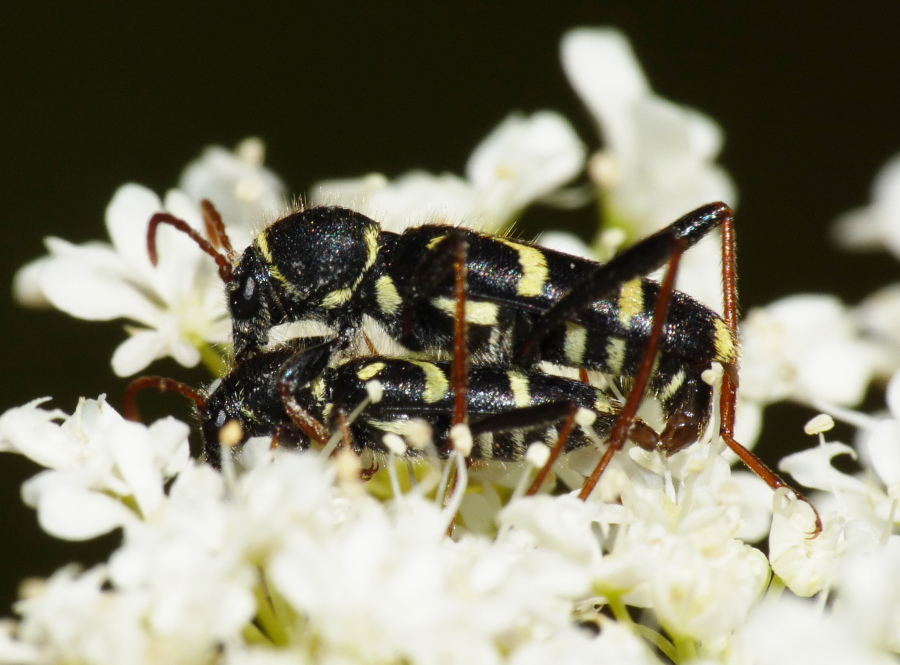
x=523 y=305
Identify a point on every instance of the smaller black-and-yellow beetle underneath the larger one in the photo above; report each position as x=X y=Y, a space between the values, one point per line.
x=508 y=408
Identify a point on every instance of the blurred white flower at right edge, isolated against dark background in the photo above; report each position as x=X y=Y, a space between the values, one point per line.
x=878 y=225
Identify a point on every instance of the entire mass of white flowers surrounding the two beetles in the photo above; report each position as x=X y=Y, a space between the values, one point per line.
x=293 y=560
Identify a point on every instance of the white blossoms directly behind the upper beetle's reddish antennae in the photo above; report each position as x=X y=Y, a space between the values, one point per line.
x=178 y=305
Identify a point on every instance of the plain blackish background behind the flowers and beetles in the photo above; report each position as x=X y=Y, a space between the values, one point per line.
x=97 y=95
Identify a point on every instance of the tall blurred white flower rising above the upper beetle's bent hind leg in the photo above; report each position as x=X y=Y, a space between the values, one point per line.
x=658 y=162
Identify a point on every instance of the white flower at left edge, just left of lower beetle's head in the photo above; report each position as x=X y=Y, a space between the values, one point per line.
x=93 y=457
